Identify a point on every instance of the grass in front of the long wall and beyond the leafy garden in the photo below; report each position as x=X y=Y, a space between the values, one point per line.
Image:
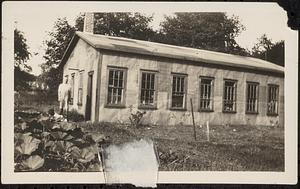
x=230 y=148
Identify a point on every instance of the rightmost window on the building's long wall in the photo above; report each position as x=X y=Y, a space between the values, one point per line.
x=273 y=91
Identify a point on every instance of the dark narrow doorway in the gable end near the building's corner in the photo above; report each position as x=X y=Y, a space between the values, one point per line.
x=88 y=107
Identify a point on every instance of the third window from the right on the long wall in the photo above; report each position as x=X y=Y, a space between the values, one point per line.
x=229 y=97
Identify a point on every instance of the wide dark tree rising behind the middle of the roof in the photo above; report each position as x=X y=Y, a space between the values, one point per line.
x=210 y=31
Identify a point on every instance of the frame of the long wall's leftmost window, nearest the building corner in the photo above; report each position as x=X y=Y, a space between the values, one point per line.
x=123 y=97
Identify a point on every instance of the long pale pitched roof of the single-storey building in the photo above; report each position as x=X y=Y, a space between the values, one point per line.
x=171 y=51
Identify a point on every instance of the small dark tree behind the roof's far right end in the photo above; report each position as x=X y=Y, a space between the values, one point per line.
x=267 y=50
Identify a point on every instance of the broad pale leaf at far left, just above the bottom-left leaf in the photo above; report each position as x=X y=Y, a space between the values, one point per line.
x=29 y=145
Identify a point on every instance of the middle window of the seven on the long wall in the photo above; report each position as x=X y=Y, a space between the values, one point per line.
x=206 y=94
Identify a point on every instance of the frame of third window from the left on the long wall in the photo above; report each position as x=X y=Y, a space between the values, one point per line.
x=185 y=76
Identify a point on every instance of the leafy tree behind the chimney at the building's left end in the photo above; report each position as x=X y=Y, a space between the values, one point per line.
x=131 y=25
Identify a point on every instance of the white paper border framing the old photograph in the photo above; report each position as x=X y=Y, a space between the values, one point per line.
x=8 y=176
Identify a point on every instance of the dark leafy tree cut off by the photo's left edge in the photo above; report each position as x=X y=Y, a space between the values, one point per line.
x=21 y=56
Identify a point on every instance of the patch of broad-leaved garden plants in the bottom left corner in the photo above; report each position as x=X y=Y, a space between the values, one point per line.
x=41 y=144
